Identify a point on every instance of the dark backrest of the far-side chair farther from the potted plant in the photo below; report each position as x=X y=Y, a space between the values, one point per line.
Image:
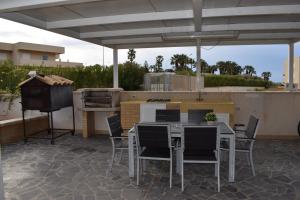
x=169 y=115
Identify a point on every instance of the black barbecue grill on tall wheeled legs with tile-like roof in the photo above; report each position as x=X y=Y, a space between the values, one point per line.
x=47 y=94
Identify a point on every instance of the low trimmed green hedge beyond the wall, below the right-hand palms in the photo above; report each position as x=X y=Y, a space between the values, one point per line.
x=235 y=80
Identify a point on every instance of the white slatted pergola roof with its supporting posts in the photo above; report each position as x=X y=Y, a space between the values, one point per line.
x=122 y=24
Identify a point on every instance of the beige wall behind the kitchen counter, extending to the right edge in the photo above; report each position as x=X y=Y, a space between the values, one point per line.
x=279 y=112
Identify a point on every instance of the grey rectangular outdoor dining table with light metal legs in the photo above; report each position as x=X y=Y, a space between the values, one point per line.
x=226 y=132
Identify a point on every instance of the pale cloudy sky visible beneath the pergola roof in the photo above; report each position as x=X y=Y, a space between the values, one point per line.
x=261 y=57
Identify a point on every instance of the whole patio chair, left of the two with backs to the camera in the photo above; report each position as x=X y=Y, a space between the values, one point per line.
x=153 y=143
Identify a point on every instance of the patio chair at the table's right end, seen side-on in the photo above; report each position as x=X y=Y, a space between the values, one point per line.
x=245 y=139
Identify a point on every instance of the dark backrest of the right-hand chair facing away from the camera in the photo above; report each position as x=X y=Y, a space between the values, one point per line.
x=200 y=138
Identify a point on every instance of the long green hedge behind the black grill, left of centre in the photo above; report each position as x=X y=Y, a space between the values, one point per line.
x=130 y=75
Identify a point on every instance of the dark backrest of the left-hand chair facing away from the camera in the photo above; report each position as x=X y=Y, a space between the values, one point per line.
x=153 y=136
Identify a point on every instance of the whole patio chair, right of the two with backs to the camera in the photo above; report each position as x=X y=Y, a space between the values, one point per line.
x=200 y=144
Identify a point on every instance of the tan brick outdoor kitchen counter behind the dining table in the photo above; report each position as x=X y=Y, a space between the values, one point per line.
x=131 y=110
